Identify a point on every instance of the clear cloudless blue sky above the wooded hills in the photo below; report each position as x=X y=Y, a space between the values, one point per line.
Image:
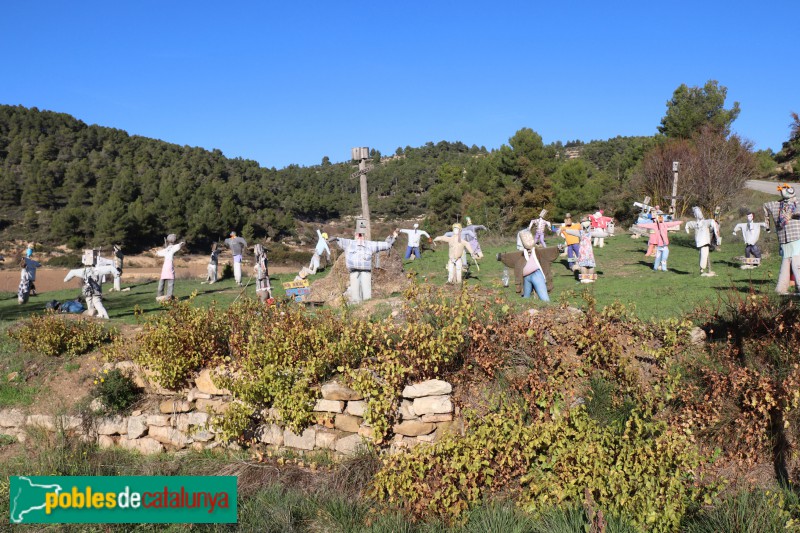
x=290 y=82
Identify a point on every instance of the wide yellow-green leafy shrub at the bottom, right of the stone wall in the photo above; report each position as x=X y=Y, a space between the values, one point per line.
x=641 y=472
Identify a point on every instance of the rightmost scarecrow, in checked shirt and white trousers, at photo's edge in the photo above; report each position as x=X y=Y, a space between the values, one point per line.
x=786 y=215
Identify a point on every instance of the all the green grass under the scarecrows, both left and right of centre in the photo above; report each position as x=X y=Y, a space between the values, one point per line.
x=624 y=274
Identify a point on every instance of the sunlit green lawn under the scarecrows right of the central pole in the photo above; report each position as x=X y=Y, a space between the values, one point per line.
x=626 y=275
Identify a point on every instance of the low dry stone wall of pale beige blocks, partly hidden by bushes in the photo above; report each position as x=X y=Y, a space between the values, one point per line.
x=184 y=421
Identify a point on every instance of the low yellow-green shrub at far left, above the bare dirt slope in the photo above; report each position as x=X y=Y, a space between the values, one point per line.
x=52 y=335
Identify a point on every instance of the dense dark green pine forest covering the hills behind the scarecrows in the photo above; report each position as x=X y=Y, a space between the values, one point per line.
x=62 y=181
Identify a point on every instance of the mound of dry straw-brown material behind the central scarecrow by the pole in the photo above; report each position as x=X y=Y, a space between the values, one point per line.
x=388 y=278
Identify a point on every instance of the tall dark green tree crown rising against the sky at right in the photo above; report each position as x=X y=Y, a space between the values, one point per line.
x=691 y=108
